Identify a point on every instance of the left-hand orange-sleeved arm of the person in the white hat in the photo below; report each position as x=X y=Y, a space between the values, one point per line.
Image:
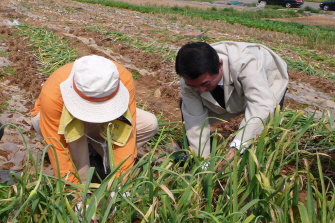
x=50 y=105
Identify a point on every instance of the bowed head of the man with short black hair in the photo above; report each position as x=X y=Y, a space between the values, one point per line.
x=199 y=65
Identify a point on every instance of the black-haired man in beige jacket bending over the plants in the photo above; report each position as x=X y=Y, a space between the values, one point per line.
x=252 y=80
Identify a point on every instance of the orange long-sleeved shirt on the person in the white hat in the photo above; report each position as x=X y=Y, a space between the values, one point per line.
x=50 y=105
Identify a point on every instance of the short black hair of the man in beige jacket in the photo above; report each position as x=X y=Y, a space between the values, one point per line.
x=196 y=58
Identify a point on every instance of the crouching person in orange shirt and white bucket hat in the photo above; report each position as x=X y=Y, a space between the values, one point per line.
x=80 y=102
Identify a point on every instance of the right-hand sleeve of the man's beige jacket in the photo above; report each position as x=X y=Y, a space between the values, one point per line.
x=253 y=73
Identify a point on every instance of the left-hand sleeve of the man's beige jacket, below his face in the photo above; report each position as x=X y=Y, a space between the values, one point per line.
x=195 y=115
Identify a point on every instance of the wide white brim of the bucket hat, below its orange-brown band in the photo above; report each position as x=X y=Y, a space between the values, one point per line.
x=95 y=112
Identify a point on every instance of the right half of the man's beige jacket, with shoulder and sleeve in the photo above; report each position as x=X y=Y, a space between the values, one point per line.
x=255 y=81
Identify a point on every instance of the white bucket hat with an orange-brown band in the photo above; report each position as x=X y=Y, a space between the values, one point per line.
x=93 y=92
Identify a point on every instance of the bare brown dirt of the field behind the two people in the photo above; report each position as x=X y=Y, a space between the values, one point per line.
x=157 y=88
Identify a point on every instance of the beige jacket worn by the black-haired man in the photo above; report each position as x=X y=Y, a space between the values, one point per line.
x=254 y=81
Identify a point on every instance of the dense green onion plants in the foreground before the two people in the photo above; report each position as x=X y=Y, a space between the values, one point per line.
x=274 y=180
